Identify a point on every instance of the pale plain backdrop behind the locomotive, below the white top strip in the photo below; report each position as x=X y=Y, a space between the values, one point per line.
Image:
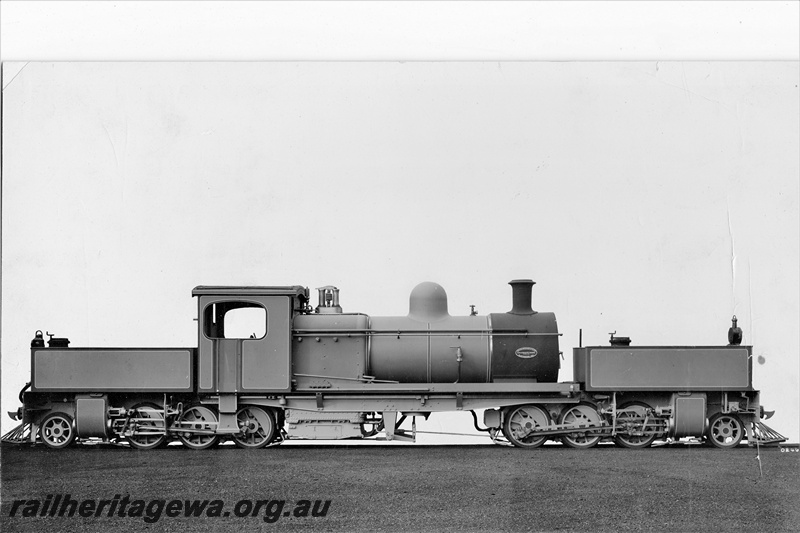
x=655 y=199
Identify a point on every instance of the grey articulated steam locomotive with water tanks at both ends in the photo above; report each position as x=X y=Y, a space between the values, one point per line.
x=269 y=368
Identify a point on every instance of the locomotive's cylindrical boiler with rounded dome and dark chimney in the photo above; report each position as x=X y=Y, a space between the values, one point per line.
x=431 y=346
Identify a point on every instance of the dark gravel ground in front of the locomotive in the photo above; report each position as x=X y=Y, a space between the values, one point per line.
x=414 y=488
